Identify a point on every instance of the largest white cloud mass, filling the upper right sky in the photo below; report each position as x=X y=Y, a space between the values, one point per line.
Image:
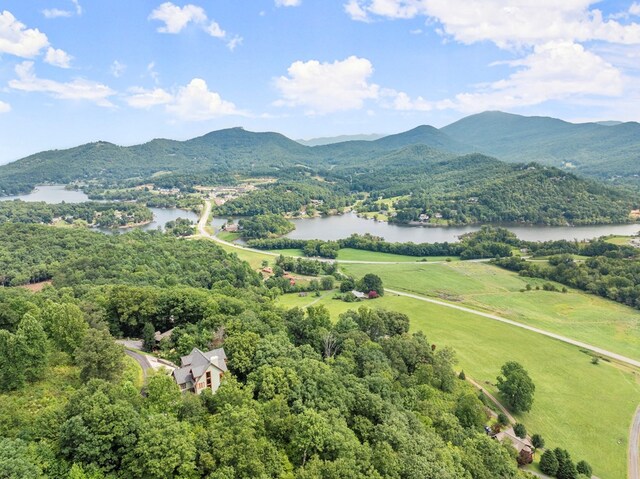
x=557 y=43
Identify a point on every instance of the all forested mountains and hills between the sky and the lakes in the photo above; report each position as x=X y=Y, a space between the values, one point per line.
x=441 y=169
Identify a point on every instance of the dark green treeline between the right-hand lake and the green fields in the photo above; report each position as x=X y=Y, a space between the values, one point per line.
x=487 y=243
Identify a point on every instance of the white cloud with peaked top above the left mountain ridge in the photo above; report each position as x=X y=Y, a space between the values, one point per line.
x=193 y=102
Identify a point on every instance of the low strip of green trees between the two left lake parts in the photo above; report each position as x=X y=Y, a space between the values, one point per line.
x=105 y=215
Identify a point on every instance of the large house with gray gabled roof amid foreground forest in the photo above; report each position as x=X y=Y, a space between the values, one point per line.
x=199 y=371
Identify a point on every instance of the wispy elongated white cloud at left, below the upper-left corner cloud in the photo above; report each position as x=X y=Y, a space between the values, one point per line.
x=78 y=89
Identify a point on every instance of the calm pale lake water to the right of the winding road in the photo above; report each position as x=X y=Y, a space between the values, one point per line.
x=337 y=227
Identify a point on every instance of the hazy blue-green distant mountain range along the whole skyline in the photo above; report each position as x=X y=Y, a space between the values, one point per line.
x=605 y=151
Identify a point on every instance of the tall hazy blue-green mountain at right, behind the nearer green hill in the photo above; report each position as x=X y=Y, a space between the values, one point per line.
x=593 y=149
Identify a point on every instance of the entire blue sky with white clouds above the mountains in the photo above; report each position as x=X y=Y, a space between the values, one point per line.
x=73 y=71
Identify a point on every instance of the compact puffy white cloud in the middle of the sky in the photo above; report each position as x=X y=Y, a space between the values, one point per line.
x=327 y=87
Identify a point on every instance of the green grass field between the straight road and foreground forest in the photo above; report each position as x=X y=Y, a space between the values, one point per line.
x=584 y=408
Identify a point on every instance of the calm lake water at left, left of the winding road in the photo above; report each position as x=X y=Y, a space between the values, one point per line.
x=54 y=194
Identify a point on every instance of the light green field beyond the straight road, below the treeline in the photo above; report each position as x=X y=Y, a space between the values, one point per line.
x=577 y=315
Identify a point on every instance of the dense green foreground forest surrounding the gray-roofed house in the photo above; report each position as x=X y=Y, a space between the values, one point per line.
x=304 y=397
